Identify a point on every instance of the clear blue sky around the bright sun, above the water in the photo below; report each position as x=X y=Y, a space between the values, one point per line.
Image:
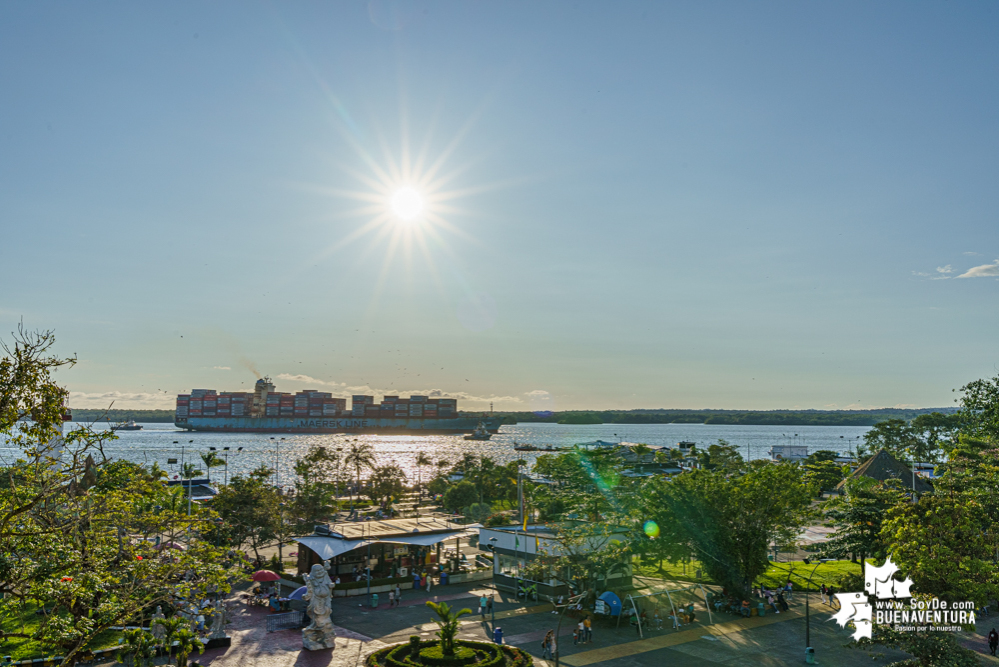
x=738 y=205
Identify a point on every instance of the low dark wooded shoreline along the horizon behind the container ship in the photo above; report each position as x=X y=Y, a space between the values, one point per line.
x=584 y=417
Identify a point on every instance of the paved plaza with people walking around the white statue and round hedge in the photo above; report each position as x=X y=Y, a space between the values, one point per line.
x=772 y=640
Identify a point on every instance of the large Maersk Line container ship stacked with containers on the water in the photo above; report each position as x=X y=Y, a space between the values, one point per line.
x=269 y=411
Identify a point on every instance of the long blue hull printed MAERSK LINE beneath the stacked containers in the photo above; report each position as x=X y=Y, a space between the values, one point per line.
x=359 y=425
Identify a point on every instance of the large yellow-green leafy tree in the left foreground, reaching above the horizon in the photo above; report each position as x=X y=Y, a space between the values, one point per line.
x=76 y=530
